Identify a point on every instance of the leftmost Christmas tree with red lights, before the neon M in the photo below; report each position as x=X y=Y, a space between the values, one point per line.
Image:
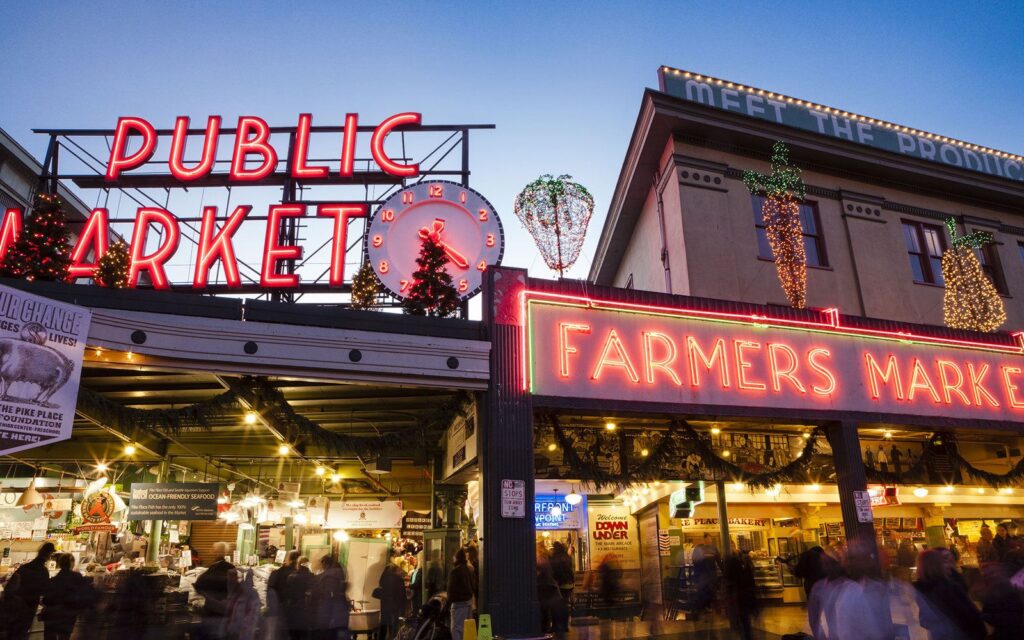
x=41 y=251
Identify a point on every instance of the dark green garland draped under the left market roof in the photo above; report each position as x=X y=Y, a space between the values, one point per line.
x=259 y=392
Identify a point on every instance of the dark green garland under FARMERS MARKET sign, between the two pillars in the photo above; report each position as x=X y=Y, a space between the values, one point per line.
x=680 y=440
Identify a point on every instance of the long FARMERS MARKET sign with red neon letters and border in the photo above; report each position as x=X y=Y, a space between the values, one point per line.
x=585 y=348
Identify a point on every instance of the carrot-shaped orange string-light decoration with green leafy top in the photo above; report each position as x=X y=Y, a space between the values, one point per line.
x=784 y=191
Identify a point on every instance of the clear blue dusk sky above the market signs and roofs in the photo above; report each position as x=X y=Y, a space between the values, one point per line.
x=562 y=81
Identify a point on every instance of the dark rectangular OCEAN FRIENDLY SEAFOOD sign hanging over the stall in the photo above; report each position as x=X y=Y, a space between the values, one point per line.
x=174 y=501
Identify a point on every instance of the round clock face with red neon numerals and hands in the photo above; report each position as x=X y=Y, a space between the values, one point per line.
x=462 y=221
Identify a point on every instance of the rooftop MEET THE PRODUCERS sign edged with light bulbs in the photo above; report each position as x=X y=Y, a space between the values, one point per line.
x=836 y=123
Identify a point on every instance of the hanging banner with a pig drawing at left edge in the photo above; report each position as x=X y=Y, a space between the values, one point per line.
x=41 y=347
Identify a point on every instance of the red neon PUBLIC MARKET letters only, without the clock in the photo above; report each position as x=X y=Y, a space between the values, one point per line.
x=253 y=160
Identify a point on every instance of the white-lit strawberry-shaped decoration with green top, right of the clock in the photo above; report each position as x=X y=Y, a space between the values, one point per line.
x=557 y=212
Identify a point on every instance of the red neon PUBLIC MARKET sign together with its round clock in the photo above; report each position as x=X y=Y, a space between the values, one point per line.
x=460 y=220
